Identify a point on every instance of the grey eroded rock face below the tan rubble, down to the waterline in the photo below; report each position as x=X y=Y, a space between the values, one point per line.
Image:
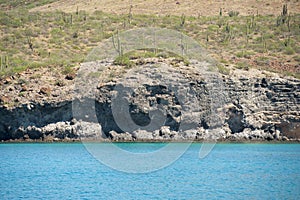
x=254 y=108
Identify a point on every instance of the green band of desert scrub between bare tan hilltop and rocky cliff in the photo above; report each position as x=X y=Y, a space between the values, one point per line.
x=53 y=32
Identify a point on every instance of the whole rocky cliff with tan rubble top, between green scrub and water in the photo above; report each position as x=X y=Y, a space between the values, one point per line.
x=157 y=100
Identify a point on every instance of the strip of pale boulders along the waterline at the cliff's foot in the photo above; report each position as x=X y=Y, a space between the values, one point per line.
x=76 y=131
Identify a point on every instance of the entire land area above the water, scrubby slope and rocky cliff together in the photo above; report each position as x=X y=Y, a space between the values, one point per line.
x=253 y=50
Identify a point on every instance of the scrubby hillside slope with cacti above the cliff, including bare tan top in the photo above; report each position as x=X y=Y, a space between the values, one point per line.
x=256 y=34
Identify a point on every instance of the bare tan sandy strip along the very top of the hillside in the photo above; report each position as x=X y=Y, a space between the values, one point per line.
x=175 y=7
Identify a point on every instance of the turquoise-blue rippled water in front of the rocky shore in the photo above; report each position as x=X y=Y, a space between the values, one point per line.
x=230 y=171
